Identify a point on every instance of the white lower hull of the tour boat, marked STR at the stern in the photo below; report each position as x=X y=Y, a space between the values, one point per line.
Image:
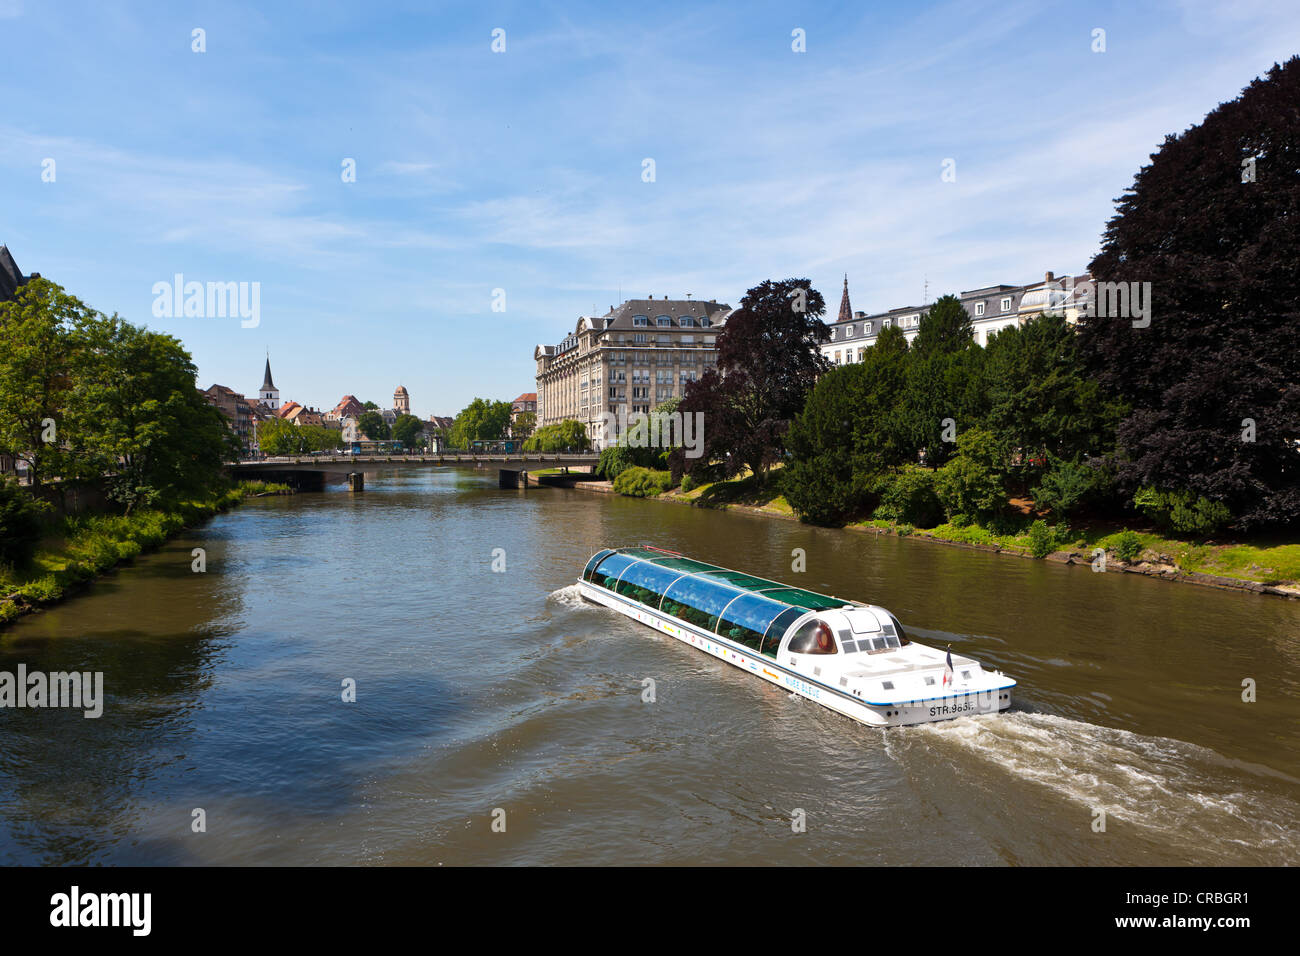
x=874 y=715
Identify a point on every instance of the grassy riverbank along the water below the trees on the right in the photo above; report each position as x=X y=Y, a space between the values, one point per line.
x=1266 y=568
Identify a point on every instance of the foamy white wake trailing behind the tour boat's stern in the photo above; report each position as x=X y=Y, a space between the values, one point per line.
x=1178 y=790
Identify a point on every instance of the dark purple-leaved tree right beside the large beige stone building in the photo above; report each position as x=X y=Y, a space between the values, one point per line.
x=768 y=364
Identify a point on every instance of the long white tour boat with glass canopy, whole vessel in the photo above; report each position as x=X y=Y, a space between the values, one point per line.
x=851 y=657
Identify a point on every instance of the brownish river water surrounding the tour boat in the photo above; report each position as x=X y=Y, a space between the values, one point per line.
x=499 y=698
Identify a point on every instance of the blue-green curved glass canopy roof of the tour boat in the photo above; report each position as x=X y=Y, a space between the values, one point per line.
x=751 y=611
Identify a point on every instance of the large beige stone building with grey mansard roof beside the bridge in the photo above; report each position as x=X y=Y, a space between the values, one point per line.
x=634 y=357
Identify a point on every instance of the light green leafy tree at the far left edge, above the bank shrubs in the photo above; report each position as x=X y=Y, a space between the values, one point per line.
x=37 y=374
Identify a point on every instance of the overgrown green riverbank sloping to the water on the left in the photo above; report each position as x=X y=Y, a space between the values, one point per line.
x=80 y=550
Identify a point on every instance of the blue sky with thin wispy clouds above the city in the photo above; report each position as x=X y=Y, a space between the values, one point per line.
x=523 y=171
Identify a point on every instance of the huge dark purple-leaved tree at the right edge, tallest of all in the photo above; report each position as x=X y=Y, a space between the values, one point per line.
x=1214 y=226
